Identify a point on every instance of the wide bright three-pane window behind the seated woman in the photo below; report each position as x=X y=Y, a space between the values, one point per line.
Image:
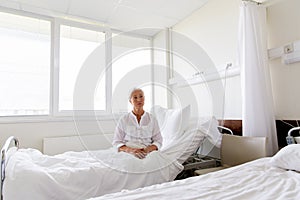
x=45 y=74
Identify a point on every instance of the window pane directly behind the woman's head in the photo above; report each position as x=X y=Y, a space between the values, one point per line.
x=131 y=67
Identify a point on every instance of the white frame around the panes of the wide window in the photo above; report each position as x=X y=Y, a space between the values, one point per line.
x=54 y=113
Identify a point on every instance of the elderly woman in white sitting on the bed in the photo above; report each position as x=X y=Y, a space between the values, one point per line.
x=137 y=132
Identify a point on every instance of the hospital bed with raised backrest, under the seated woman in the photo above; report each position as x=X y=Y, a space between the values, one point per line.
x=30 y=174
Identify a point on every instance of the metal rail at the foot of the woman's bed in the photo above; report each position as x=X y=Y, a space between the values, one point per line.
x=4 y=157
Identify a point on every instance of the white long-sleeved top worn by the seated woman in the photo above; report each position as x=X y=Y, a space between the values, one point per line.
x=139 y=135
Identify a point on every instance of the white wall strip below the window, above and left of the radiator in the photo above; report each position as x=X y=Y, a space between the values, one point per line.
x=31 y=134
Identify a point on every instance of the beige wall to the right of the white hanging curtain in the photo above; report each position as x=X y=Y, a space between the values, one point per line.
x=284 y=27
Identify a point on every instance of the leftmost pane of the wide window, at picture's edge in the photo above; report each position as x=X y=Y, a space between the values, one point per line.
x=24 y=65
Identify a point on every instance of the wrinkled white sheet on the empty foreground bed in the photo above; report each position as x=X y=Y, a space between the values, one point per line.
x=253 y=180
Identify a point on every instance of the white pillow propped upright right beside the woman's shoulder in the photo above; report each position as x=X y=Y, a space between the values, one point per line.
x=172 y=122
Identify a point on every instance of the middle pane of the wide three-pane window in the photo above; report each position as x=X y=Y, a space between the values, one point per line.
x=76 y=47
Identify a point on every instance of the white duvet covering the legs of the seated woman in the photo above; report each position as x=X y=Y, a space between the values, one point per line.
x=81 y=175
